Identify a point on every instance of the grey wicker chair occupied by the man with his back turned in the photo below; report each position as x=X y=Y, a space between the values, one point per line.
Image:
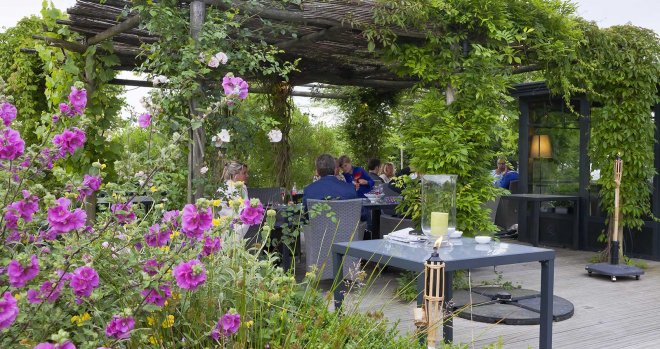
x=322 y=232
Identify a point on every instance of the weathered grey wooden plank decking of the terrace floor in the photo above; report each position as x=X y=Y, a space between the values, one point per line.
x=622 y=314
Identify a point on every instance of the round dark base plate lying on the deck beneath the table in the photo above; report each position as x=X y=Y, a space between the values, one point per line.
x=523 y=308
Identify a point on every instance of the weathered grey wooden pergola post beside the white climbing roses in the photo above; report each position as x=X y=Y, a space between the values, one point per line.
x=196 y=145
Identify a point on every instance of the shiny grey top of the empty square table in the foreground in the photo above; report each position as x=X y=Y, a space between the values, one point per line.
x=459 y=254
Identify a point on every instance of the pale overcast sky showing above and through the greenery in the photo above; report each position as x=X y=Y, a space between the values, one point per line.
x=643 y=13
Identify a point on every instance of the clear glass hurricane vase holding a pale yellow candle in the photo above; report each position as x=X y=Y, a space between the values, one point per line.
x=438 y=204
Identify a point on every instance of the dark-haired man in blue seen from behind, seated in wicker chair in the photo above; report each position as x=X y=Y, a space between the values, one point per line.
x=328 y=186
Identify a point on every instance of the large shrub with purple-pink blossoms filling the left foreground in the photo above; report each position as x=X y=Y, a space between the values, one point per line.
x=136 y=279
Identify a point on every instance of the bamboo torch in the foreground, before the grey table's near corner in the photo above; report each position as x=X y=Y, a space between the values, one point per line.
x=430 y=315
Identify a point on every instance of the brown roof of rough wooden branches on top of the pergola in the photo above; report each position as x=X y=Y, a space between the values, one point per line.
x=328 y=41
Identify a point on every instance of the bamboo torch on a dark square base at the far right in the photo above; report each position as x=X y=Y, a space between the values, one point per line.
x=614 y=269
